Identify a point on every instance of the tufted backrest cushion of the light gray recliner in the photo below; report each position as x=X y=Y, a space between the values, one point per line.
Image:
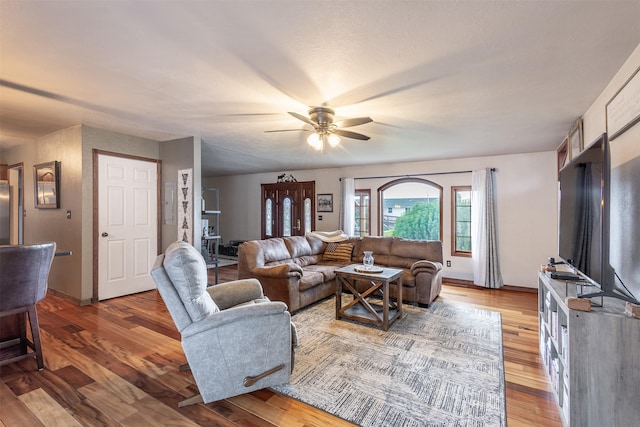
x=188 y=272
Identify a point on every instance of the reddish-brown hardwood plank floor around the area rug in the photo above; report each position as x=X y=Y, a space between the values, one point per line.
x=116 y=363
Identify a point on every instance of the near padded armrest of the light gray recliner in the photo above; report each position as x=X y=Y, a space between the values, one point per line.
x=234 y=315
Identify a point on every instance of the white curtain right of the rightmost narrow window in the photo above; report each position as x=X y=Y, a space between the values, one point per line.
x=484 y=232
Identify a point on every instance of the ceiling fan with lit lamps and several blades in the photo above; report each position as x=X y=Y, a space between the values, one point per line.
x=326 y=129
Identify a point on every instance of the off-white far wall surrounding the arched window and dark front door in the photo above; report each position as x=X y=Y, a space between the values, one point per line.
x=527 y=205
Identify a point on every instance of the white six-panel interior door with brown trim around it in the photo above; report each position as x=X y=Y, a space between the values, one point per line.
x=127 y=225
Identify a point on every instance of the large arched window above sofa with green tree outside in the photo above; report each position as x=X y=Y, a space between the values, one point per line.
x=410 y=208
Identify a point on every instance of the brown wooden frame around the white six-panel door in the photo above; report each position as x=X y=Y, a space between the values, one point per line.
x=95 y=226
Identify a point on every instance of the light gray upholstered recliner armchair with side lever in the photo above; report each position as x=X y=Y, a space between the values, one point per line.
x=235 y=339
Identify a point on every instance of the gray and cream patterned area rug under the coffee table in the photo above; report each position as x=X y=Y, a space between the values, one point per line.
x=441 y=366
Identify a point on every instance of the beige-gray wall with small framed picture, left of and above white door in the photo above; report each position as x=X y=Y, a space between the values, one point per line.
x=73 y=275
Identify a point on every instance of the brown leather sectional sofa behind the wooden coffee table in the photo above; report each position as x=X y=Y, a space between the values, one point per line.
x=295 y=269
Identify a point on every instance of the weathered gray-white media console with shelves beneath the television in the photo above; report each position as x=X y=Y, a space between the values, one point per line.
x=592 y=358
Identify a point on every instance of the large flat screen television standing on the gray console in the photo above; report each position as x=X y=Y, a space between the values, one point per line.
x=583 y=229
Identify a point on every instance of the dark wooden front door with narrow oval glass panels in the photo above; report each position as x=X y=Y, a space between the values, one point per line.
x=288 y=209
